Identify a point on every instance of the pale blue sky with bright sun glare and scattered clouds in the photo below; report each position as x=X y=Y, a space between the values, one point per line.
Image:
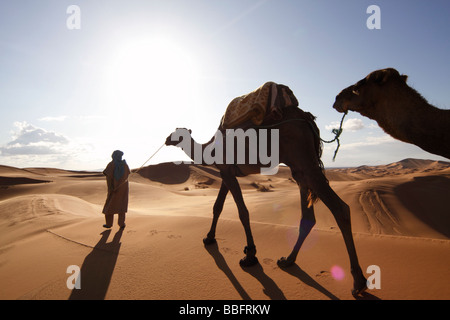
x=78 y=83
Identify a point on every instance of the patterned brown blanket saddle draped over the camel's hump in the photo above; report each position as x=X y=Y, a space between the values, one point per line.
x=267 y=100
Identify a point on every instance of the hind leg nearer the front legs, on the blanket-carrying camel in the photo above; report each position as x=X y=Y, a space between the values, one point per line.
x=306 y=224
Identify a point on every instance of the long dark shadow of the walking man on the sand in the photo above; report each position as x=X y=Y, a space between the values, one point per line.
x=97 y=268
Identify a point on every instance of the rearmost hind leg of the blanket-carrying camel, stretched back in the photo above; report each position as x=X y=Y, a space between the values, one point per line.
x=341 y=212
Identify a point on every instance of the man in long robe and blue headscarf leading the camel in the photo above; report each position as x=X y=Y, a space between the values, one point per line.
x=116 y=172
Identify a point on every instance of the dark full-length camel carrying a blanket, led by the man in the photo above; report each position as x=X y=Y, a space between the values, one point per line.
x=300 y=148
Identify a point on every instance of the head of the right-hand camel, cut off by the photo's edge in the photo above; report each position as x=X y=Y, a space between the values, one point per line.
x=366 y=92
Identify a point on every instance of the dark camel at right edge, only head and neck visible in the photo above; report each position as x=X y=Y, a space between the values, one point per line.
x=399 y=110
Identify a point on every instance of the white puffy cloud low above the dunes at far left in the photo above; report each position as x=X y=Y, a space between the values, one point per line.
x=31 y=140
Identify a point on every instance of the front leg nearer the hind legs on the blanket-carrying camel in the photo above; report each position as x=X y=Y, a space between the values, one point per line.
x=250 y=250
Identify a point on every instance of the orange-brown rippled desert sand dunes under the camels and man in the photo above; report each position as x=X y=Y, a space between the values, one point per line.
x=51 y=219
